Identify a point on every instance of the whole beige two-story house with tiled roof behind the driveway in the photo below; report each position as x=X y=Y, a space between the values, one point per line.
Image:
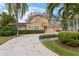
x=39 y=22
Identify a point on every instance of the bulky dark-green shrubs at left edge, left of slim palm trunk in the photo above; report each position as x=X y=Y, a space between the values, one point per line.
x=8 y=30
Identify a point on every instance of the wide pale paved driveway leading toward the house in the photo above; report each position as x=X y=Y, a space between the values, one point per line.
x=26 y=45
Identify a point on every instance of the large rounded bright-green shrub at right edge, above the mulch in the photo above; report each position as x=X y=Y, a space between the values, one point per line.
x=69 y=38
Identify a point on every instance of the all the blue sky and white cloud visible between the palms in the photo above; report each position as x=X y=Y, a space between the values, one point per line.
x=32 y=7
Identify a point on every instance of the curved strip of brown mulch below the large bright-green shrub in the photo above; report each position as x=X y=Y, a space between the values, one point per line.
x=66 y=47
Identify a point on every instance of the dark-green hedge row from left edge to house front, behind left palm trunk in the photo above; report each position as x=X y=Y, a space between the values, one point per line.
x=8 y=31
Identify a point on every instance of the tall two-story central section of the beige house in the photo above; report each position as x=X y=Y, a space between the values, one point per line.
x=37 y=22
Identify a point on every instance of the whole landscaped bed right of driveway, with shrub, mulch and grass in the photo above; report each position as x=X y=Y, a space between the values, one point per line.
x=66 y=45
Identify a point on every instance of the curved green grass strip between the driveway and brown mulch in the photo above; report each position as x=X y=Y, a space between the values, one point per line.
x=59 y=50
